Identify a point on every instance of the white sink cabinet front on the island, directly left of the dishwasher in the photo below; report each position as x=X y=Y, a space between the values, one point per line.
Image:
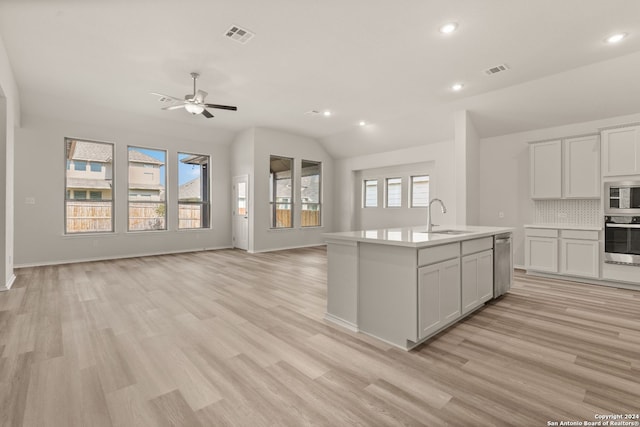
x=477 y=280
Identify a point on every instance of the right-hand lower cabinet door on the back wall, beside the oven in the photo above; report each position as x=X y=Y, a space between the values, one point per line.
x=579 y=257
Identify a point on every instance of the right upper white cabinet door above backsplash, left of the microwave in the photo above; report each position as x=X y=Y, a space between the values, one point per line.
x=582 y=167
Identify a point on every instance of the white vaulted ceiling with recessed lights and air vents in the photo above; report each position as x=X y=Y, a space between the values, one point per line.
x=381 y=61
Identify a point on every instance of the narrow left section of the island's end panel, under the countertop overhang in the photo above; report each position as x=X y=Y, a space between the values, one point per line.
x=342 y=283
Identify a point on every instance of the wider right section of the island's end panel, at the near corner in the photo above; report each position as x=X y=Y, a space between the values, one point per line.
x=387 y=293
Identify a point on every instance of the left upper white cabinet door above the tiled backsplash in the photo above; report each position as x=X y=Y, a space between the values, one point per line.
x=546 y=170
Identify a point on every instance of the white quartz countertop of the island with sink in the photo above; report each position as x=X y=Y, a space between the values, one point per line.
x=416 y=237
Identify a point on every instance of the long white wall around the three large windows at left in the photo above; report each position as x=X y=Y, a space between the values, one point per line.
x=40 y=172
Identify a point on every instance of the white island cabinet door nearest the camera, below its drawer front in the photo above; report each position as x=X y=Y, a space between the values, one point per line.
x=438 y=296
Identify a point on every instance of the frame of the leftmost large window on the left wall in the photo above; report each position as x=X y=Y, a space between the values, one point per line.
x=68 y=141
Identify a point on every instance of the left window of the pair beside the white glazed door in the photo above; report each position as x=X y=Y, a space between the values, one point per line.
x=281 y=191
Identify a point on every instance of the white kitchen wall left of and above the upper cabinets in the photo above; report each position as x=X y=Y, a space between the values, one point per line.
x=504 y=175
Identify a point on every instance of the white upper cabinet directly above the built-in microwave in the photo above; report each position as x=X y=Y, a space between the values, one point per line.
x=621 y=151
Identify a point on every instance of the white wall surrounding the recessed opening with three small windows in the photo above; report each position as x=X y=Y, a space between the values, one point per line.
x=441 y=158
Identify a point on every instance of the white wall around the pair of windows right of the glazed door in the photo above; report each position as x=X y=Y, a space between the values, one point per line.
x=269 y=142
